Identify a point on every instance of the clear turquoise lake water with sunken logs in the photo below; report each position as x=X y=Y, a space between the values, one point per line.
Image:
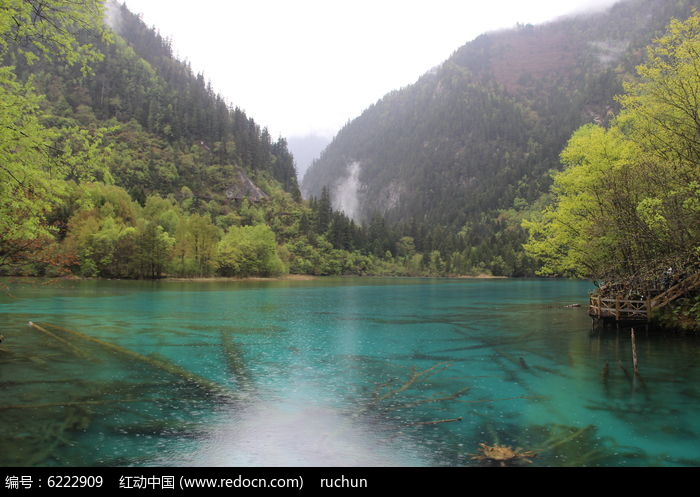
x=338 y=372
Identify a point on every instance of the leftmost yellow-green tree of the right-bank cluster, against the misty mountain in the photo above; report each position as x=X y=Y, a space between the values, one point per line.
x=578 y=234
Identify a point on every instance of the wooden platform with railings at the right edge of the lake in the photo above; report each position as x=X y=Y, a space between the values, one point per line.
x=621 y=308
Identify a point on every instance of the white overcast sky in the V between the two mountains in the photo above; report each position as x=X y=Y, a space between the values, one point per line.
x=309 y=66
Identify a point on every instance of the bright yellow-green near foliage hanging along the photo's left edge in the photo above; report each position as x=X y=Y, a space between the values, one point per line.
x=32 y=169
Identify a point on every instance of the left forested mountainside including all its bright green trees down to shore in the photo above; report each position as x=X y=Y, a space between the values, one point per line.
x=117 y=161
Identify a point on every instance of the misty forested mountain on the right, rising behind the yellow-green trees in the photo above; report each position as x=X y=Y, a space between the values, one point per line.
x=456 y=157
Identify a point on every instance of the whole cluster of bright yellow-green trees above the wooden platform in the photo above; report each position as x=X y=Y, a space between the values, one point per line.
x=629 y=201
